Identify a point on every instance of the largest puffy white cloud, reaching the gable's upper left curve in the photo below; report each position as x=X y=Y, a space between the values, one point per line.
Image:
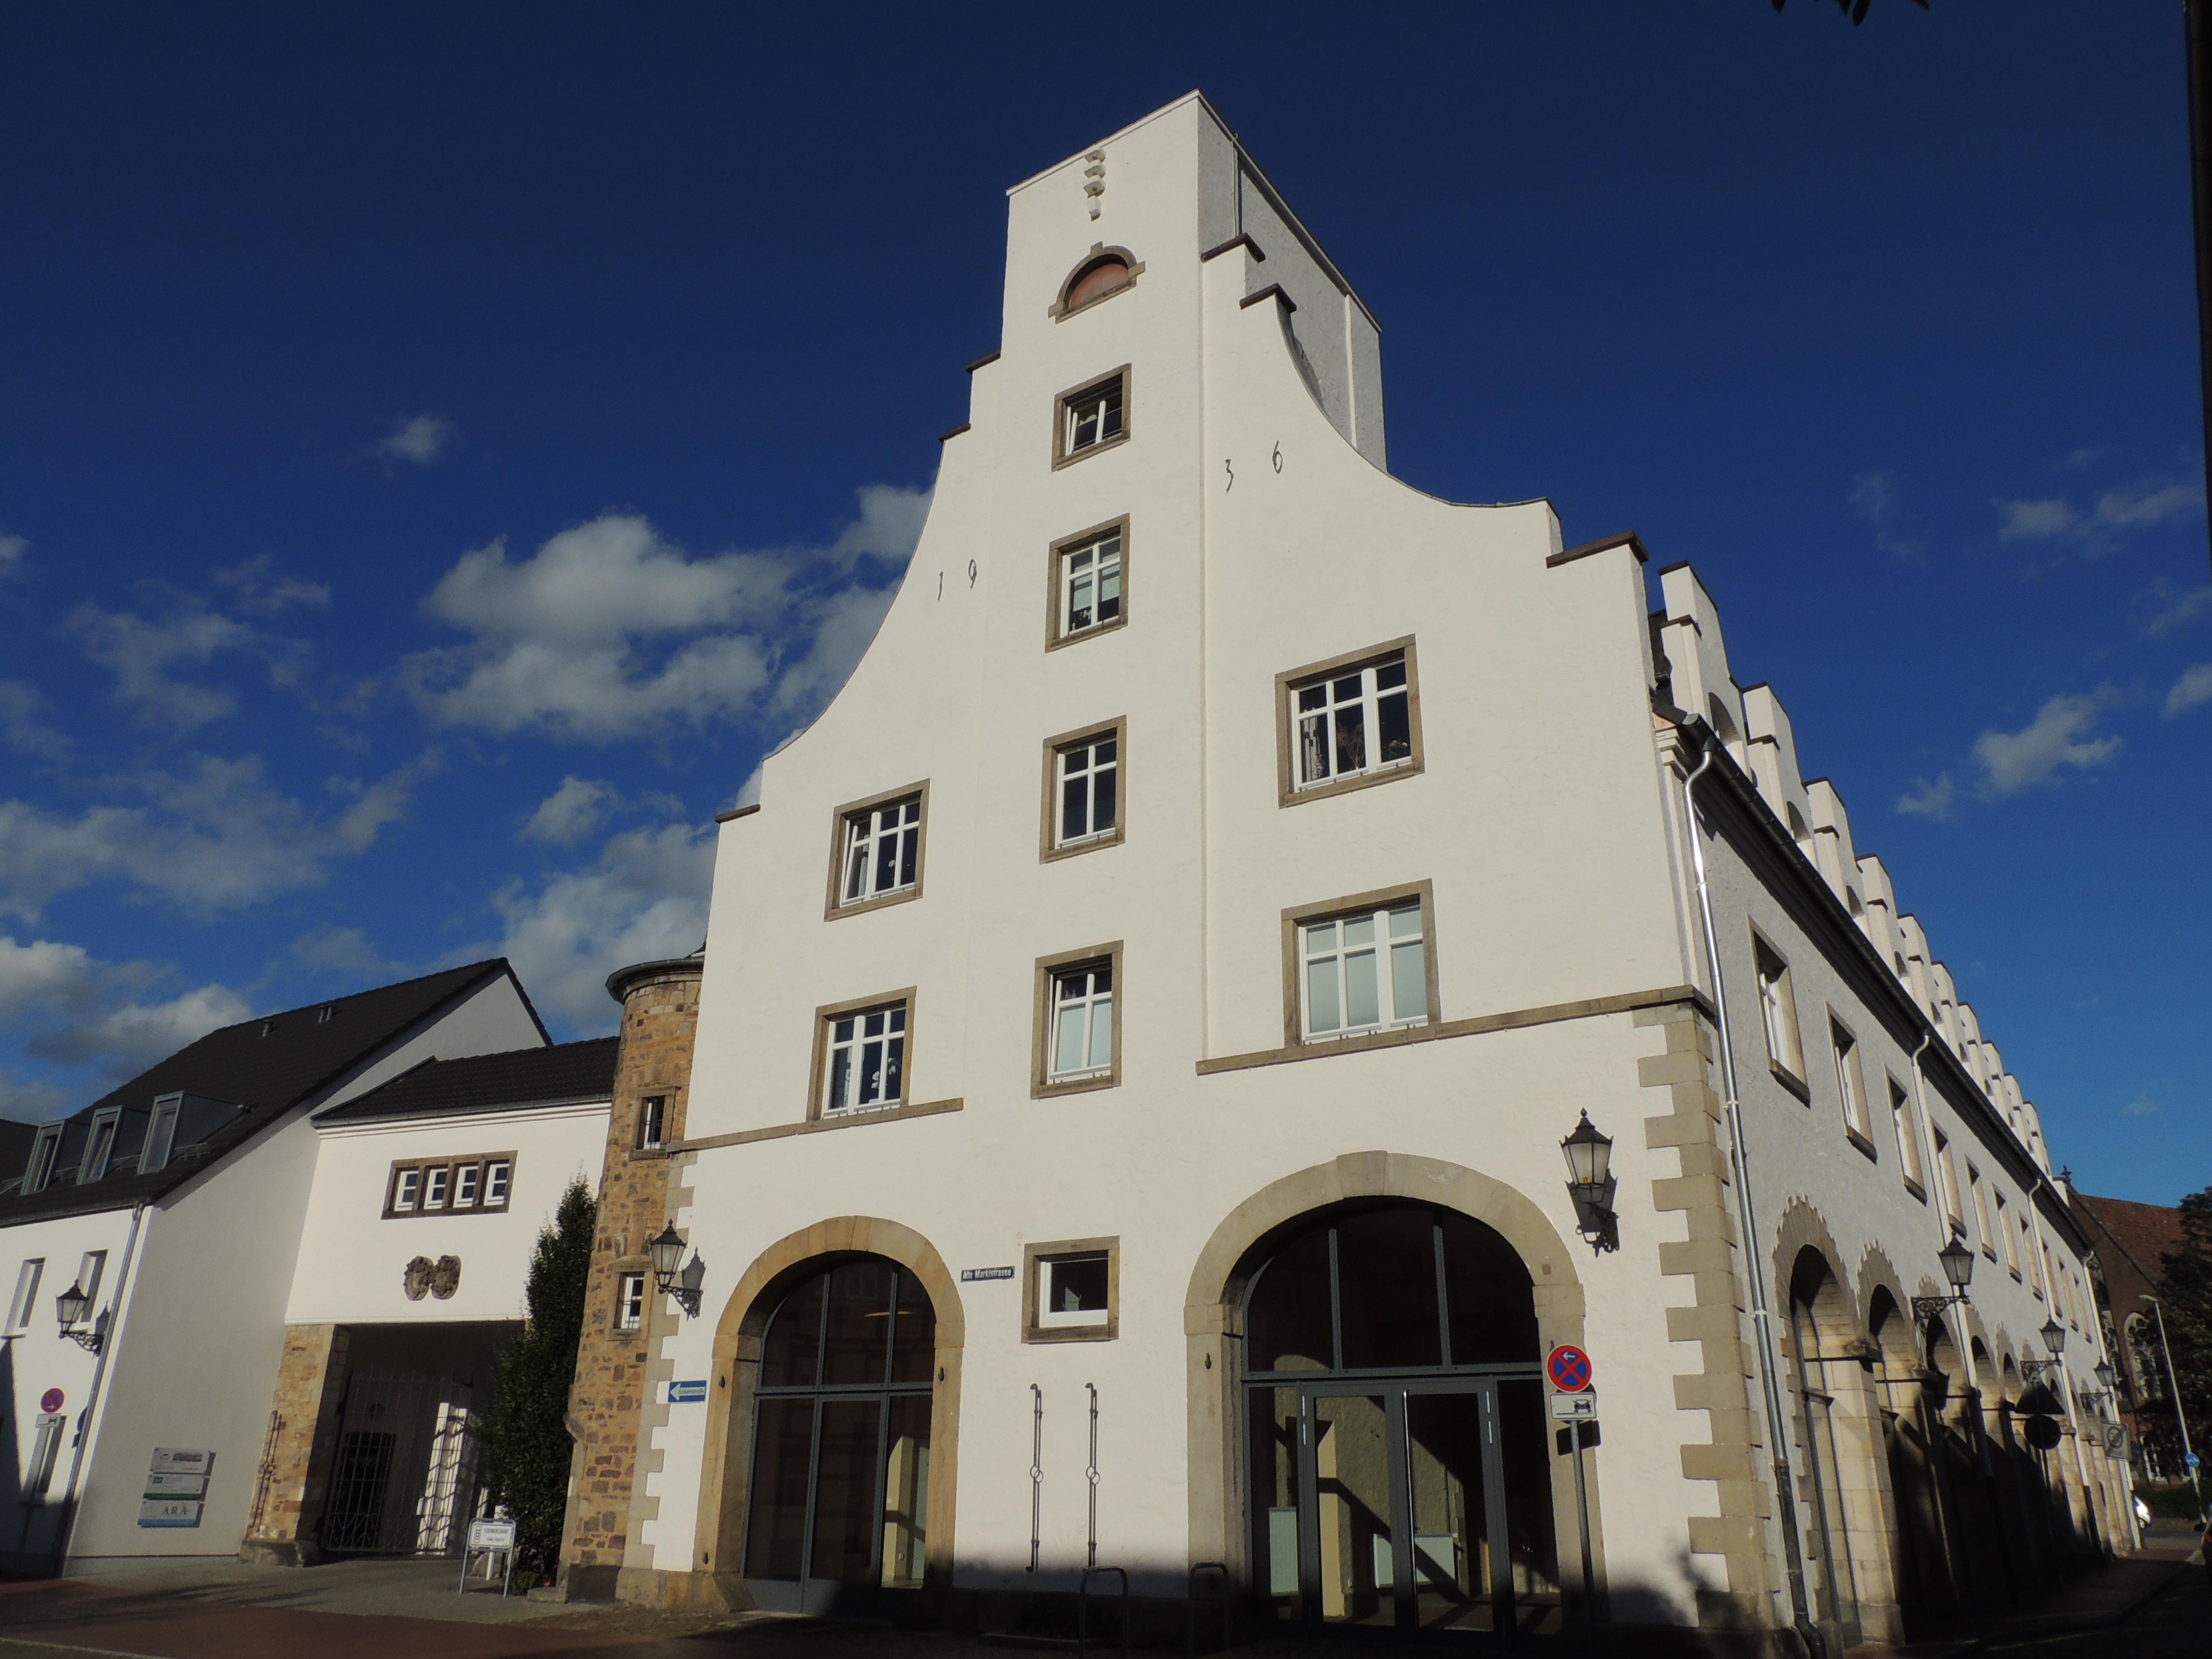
x=609 y=632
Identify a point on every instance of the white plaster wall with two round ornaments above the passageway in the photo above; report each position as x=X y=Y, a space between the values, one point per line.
x=353 y=1260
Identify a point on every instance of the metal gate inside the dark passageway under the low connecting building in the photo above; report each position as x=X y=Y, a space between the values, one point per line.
x=404 y=1477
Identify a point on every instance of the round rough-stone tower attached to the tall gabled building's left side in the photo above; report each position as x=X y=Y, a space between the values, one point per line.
x=614 y=1370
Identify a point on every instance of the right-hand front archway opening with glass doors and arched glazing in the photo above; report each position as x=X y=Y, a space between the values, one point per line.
x=1399 y=1443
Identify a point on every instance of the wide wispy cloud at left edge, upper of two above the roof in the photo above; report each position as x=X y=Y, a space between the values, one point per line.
x=213 y=839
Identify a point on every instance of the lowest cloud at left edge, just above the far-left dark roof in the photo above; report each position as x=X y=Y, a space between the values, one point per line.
x=81 y=1010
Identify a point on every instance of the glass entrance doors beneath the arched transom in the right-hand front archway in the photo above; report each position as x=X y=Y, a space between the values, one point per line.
x=1412 y=1505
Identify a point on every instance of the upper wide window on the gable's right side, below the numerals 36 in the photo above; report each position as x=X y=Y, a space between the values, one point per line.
x=1348 y=722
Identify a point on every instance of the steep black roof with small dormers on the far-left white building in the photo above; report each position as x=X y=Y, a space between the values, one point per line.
x=258 y=1067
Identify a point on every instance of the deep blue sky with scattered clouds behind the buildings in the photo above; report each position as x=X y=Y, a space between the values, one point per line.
x=441 y=448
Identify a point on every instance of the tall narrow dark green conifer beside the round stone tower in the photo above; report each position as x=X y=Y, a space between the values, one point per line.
x=528 y=1428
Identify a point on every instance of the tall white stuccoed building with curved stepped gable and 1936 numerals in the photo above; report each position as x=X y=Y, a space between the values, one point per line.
x=1145 y=1012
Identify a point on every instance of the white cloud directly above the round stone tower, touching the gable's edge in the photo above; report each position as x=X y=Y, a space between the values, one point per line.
x=643 y=899
